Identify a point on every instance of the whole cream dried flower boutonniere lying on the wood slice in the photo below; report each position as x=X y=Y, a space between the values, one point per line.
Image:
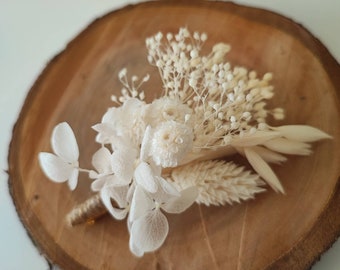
x=164 y=156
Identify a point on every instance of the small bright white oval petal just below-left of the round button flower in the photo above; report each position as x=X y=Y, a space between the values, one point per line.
x=145 y=177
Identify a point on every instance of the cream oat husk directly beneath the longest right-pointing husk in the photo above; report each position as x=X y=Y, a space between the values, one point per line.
x=290 y=147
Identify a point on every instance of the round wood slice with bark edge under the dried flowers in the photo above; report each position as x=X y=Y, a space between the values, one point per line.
x=271 y=232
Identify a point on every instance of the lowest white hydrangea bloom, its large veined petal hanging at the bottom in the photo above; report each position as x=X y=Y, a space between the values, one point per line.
x=148 y=225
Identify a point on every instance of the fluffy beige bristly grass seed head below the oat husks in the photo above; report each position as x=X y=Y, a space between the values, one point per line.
x=218 y=182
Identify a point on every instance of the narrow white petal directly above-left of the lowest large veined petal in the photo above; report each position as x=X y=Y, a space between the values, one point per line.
x=141 y=204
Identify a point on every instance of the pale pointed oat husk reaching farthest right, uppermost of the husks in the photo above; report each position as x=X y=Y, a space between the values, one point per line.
x=302 y=133
